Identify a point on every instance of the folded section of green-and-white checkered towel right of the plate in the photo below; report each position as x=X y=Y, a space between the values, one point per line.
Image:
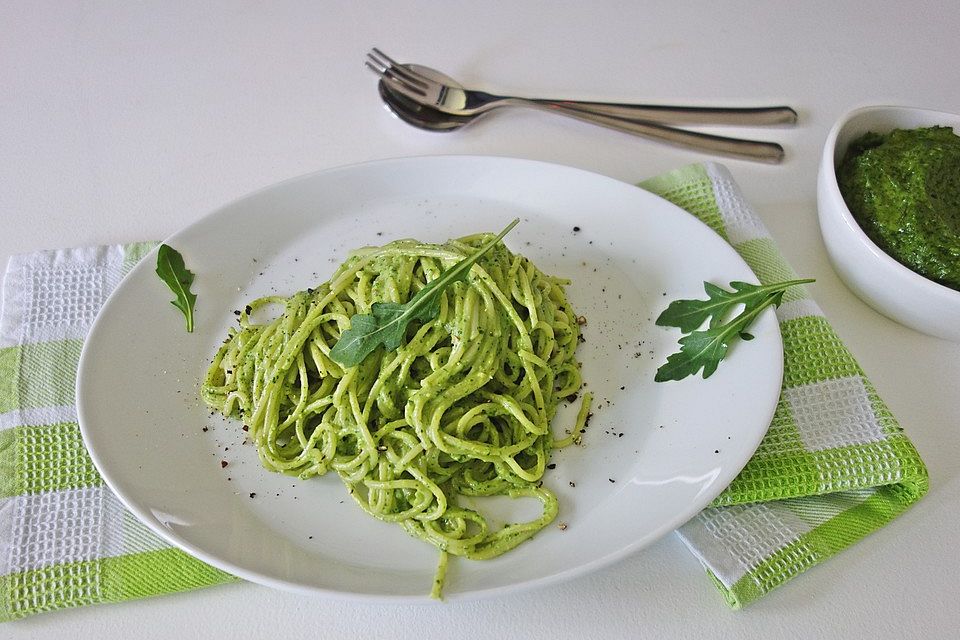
x=834 y=464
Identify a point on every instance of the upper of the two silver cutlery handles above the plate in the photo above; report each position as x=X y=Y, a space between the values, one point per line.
x=667 y=114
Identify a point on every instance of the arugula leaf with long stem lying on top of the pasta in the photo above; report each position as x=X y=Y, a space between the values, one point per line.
x=387 y=322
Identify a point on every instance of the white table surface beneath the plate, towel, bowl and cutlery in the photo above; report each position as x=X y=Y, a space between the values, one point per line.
x=122 y=121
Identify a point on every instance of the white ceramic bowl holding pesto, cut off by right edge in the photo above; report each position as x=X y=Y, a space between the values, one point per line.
x=882 y=282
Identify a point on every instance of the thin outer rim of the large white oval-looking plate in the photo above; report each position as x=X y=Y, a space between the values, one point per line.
x=227 y=566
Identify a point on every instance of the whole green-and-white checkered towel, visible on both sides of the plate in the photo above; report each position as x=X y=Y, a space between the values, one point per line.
x=833 y=467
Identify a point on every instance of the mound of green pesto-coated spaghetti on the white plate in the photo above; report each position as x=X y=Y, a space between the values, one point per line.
x=462 y=408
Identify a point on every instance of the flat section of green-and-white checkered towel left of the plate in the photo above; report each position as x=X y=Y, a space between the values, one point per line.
x=65 y=538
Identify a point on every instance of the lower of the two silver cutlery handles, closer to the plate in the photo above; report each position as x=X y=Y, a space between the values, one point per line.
x=768 y=152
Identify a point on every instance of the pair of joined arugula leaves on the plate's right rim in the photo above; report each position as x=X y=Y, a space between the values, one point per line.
x=704 y=349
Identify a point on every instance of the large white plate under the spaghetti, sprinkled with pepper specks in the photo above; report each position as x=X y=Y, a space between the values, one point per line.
x=653 y=456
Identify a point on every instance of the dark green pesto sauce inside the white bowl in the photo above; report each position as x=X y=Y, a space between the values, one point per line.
x=903 y=188
